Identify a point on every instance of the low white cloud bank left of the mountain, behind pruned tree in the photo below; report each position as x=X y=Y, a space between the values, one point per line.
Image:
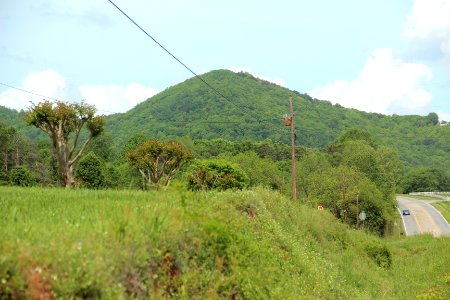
x=106 y=98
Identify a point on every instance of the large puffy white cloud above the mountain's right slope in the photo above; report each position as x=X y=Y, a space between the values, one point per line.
x=384 y=85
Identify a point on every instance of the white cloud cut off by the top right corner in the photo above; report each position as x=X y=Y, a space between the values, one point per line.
x=428 y=26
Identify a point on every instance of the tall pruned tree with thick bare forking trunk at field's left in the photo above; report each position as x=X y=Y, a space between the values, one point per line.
x=63 y=123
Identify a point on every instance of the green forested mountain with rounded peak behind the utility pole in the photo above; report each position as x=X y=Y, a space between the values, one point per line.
x=254 y=109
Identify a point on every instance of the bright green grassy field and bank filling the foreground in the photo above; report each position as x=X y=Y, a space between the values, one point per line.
x=69 y=244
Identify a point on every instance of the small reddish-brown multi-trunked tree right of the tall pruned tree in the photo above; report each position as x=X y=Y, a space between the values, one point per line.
x=156 y=160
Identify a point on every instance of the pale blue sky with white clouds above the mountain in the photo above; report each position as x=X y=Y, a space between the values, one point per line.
x=383 y=56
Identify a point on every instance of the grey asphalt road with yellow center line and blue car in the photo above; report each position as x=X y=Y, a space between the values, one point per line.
x=424 y=218
